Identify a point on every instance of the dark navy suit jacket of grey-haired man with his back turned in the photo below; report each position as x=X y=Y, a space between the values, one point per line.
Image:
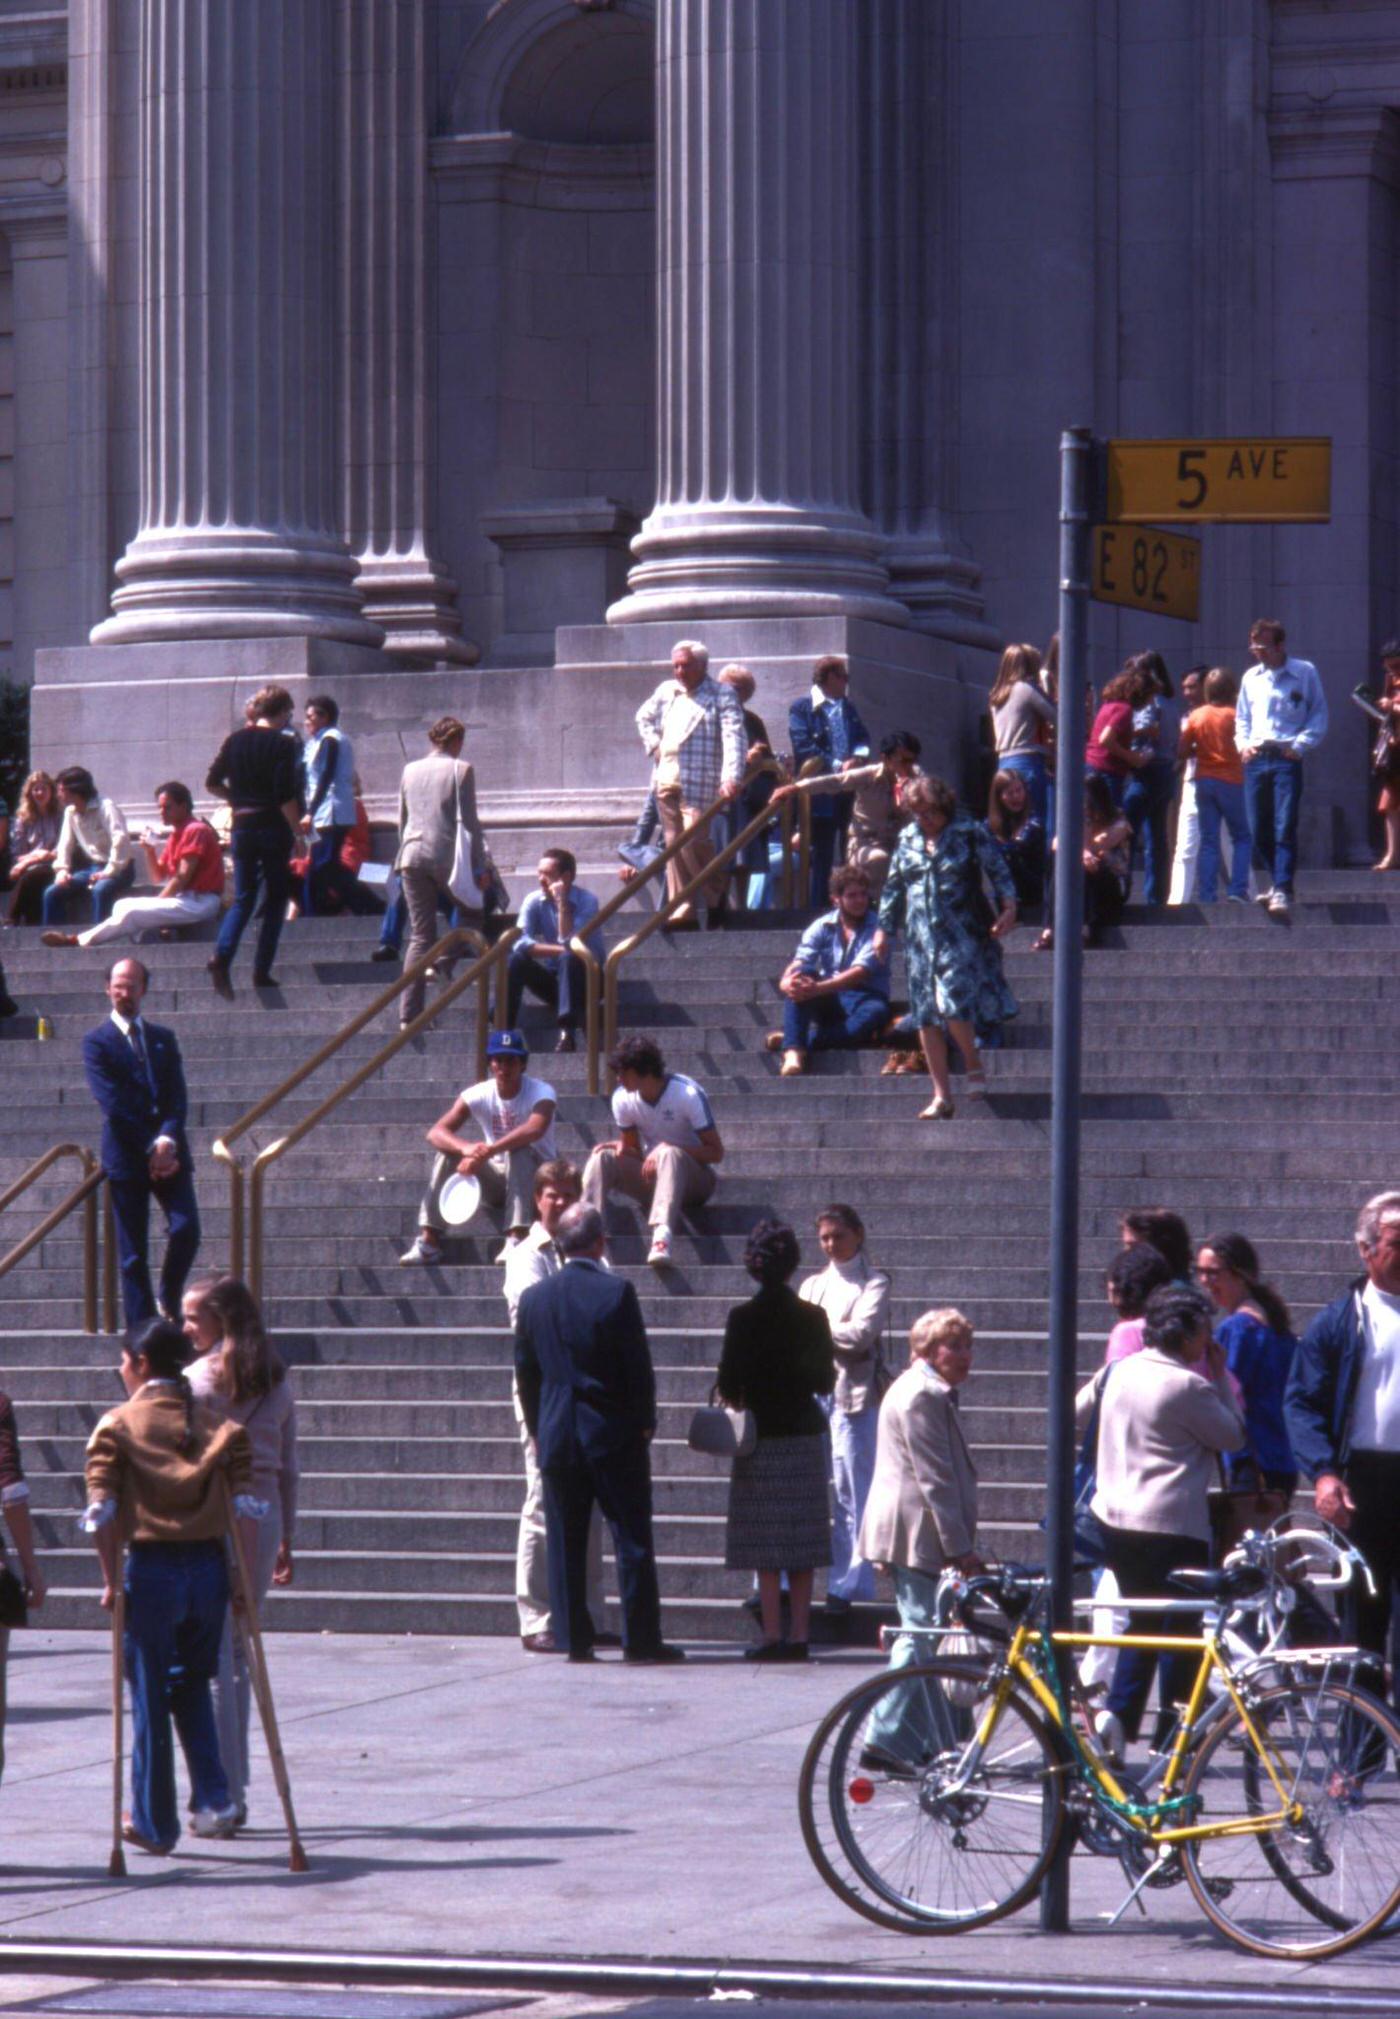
x=583 y=1366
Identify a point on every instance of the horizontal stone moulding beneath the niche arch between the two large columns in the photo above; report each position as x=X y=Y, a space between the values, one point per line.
x=544 y=175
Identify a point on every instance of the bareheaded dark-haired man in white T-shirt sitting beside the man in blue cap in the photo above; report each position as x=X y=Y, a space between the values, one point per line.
x=668 y=1144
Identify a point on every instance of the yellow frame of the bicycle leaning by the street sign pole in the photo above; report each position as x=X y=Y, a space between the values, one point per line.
x=1148 y=1818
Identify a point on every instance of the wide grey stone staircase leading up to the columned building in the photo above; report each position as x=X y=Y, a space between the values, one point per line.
x=1233 y=1069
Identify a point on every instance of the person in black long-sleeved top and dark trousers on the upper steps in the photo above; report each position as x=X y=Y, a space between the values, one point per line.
x=260 y=774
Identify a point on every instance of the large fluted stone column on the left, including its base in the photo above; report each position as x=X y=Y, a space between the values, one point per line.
x=237 y=423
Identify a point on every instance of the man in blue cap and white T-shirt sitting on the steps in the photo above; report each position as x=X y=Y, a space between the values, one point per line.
x=516 y=1118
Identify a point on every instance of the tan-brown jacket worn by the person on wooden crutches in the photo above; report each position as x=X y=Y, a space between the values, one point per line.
x=165 y=1497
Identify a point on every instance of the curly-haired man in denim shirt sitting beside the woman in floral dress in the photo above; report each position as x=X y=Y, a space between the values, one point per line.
x=835 y=986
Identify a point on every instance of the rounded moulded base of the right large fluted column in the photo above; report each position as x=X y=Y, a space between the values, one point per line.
x=757 y=562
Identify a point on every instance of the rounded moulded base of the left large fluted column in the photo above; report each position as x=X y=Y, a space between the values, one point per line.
x=237 y=585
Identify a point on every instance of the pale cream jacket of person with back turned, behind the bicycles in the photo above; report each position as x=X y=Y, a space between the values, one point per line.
x=1161 y=1432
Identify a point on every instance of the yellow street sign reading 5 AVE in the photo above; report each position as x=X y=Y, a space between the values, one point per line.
x=1245 y=482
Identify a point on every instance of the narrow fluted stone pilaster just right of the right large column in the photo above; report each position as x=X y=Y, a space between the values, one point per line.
x=910 y=310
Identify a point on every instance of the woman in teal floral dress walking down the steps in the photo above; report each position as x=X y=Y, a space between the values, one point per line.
x=936 y=891
